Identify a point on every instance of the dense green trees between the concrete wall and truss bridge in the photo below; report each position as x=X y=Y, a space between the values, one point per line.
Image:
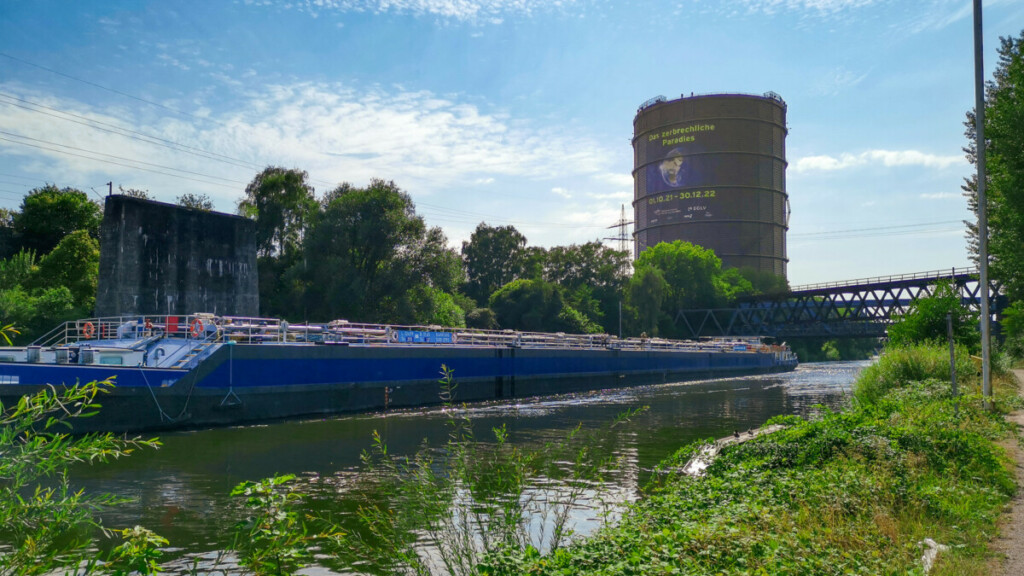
x=364 y=255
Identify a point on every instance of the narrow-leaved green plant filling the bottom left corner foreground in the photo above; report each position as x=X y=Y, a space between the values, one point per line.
x=46 y=524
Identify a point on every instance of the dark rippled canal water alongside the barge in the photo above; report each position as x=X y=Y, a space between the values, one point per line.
x=182 y=491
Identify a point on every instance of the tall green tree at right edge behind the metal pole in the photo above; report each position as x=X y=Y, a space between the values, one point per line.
x=1005 y=167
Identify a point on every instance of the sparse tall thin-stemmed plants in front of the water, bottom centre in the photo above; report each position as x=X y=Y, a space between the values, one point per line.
x=448 y=511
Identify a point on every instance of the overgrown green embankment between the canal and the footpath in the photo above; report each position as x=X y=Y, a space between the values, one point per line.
x=854 y=492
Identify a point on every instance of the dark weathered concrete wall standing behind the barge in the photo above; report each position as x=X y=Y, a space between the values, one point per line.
x=158 y=259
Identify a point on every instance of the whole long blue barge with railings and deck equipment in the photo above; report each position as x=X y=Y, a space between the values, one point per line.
x=203 y=371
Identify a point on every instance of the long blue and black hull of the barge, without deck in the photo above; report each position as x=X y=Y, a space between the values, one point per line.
x=240 y=384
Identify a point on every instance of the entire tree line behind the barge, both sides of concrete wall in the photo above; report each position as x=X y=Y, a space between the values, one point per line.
x=364 y=255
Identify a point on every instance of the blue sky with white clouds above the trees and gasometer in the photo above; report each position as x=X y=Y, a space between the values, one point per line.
x=509 y=112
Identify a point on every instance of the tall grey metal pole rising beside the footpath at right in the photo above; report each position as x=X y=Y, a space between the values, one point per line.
x=979 y=127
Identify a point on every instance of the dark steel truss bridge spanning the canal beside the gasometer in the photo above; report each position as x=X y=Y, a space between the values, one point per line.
x=855 y=309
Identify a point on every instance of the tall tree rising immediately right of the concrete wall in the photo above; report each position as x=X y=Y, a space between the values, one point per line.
x=281 y=201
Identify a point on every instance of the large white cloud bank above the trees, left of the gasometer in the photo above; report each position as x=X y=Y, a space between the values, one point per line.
x=338 y=134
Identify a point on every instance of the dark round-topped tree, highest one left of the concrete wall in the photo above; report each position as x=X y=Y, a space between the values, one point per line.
x=51 y=214
